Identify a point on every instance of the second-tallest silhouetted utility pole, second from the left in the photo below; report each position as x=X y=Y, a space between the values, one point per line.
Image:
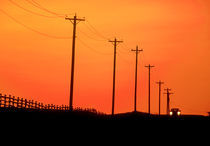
x=115 y=43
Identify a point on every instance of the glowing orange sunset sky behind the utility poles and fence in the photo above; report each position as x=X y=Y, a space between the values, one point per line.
x=174 y=35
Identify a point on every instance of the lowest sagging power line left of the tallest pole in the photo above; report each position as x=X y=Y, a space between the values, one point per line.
x=31 y=29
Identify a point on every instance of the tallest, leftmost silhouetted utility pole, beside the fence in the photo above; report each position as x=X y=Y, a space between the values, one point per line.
x=74 y=21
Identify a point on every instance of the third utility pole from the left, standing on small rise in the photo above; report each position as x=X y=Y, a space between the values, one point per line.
x=135 y=96
